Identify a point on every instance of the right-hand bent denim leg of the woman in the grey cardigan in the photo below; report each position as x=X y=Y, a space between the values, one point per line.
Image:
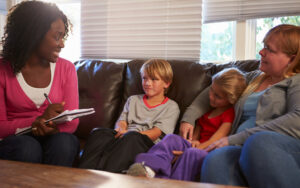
x=270 y=159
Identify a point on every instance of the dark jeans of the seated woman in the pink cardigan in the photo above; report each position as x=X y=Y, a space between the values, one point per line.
x=58 y=149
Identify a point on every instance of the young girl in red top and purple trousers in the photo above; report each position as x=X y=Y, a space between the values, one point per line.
x=177 y=158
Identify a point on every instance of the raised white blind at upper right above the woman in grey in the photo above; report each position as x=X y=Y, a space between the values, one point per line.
x=230 y=10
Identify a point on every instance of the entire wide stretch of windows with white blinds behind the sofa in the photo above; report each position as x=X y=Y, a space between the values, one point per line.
x=224 y=36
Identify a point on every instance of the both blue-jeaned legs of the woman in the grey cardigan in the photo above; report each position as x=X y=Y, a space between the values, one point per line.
x=267 y=159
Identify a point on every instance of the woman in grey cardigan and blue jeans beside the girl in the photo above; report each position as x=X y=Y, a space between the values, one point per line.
x=264 y=148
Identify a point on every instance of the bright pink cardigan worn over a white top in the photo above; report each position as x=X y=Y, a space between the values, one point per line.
x=17 y=110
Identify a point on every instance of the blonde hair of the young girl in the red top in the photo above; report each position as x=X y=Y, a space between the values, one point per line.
x=232 y=82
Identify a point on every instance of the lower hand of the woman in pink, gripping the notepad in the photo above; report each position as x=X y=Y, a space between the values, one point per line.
x=39 y=128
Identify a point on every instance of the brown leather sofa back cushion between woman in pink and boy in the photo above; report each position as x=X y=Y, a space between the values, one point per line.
x=100 y=86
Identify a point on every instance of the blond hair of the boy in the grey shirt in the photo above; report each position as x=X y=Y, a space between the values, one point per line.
x=160 y=67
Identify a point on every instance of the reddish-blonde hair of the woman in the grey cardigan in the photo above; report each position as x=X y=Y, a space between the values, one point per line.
x=287 y=40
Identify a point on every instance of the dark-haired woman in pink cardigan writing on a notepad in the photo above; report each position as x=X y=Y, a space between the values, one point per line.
x=33 y=37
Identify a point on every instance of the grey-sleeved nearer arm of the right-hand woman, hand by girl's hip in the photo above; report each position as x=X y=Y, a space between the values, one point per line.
x=286 y=121
